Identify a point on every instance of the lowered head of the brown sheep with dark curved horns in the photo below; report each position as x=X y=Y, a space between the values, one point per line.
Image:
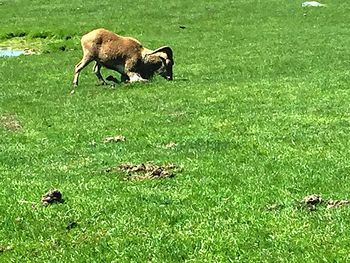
x=162 y=61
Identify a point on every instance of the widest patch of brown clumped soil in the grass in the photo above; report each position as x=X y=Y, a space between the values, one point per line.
x=147 y=171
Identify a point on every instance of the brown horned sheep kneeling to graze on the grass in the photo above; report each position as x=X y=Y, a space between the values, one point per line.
x=125 y=55
